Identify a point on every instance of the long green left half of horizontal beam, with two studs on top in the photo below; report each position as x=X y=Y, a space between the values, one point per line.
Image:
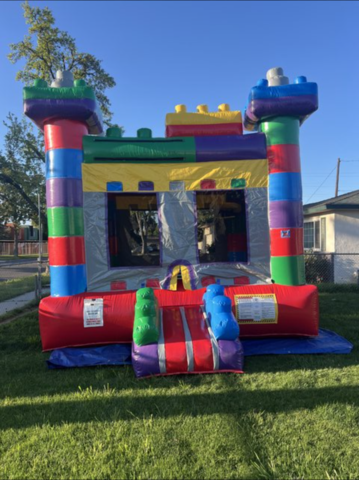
x=141 y=149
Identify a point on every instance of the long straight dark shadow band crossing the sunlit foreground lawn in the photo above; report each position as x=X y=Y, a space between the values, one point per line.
x=109 y=409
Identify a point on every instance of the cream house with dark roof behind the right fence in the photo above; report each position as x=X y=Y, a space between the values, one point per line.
x=332 y=226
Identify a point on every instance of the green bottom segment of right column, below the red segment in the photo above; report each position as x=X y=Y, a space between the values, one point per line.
x=288 y=270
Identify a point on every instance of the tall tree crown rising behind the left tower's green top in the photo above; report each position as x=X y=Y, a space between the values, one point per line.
x=47 y=49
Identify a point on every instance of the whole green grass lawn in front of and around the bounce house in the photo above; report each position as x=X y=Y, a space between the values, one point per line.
x=287 y=417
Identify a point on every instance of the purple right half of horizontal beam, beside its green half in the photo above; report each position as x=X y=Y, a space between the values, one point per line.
x=231 y=147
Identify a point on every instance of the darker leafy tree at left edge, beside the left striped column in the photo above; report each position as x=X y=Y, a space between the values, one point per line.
x=22 y=171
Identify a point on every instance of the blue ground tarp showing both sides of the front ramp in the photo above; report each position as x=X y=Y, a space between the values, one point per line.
x=120 y=354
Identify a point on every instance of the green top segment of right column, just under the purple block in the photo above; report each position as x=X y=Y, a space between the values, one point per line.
x=281 y=131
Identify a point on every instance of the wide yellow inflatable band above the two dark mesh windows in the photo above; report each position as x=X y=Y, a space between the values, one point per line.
x=96 y=176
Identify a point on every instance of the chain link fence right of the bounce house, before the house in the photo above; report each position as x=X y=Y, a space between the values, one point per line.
x=340 y=268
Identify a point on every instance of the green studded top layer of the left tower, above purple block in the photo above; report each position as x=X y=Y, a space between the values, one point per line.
x=42 y=91
